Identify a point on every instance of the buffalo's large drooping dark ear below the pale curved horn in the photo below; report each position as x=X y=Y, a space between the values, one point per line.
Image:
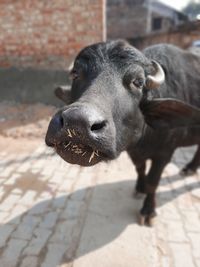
x=169 y=113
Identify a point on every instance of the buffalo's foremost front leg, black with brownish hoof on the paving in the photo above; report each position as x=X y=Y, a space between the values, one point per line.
x=148 y=212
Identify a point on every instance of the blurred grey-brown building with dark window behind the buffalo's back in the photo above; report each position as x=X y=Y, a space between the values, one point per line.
x=134 y=18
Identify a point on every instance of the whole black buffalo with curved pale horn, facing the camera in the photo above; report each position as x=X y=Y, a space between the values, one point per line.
x=145 y=103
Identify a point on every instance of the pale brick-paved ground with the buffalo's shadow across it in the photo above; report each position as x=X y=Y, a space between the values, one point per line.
x=55 y=214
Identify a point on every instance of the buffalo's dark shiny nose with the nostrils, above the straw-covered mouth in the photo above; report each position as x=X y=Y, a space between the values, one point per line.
x=86 y=121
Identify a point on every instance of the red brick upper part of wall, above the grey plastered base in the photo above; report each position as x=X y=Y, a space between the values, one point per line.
x=48 y=33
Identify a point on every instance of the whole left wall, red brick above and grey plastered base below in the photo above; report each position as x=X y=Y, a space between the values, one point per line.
x=39 y=39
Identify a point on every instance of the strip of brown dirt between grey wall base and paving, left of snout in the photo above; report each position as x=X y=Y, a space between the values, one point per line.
x=24 y=120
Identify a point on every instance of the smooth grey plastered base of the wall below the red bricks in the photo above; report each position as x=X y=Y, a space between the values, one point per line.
x=30 y=85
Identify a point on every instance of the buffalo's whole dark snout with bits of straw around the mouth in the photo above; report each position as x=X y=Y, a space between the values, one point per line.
x=80 y=134
